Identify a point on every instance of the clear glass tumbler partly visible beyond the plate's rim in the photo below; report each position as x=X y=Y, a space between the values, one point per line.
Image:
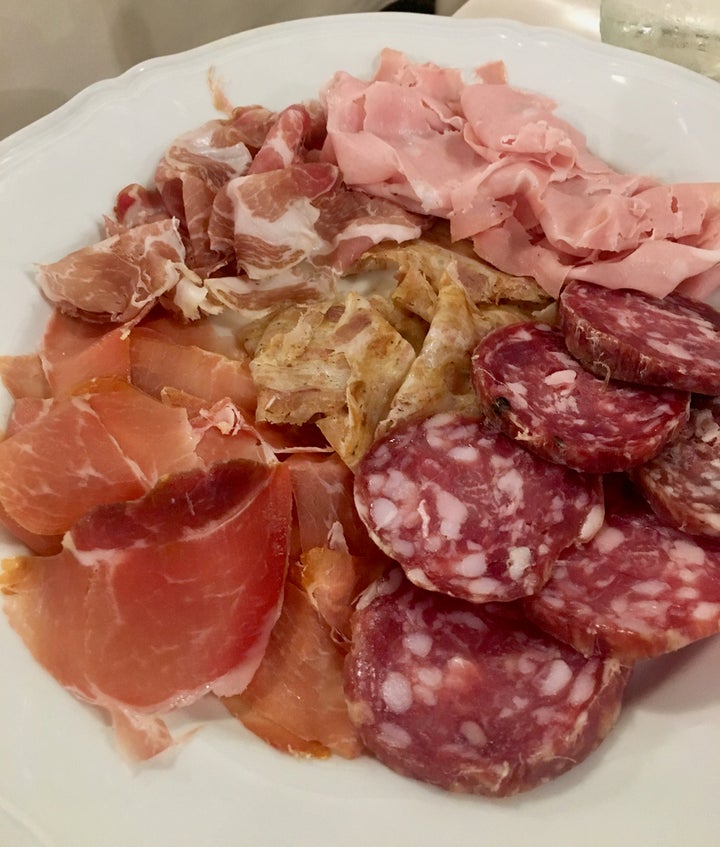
x=686 y=32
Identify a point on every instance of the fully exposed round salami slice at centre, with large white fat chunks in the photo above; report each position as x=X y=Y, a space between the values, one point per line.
x=468 y=512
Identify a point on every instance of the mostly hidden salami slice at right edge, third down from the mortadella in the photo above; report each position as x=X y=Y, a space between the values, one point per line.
x=682 y=484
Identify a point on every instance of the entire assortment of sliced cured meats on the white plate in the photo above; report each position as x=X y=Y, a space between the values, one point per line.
x=354 y=420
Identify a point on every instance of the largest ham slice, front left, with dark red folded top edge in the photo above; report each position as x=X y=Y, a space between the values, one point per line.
x=151 y=604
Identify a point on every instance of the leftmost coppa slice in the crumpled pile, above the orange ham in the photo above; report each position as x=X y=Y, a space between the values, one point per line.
x=118 y=279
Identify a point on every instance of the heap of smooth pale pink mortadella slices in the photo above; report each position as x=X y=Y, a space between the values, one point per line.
x=507 y=171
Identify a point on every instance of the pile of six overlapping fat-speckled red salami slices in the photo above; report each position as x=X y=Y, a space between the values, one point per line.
x=455 y=502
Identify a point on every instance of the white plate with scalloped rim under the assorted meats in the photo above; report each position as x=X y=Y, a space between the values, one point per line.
x=654 y=782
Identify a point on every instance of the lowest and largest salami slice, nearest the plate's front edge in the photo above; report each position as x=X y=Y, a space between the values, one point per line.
x=472 y=698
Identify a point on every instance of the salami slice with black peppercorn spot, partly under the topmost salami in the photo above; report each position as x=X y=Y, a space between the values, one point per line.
x=532 y=389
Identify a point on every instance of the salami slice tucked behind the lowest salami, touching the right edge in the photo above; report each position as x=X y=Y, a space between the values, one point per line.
x=638 y=589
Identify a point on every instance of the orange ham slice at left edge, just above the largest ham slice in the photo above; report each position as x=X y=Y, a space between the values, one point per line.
x=88 y=450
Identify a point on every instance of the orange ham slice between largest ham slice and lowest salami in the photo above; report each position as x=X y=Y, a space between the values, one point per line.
x=295 y=701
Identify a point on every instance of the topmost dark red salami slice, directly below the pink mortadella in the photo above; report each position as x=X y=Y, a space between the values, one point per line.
x=628 y=335
